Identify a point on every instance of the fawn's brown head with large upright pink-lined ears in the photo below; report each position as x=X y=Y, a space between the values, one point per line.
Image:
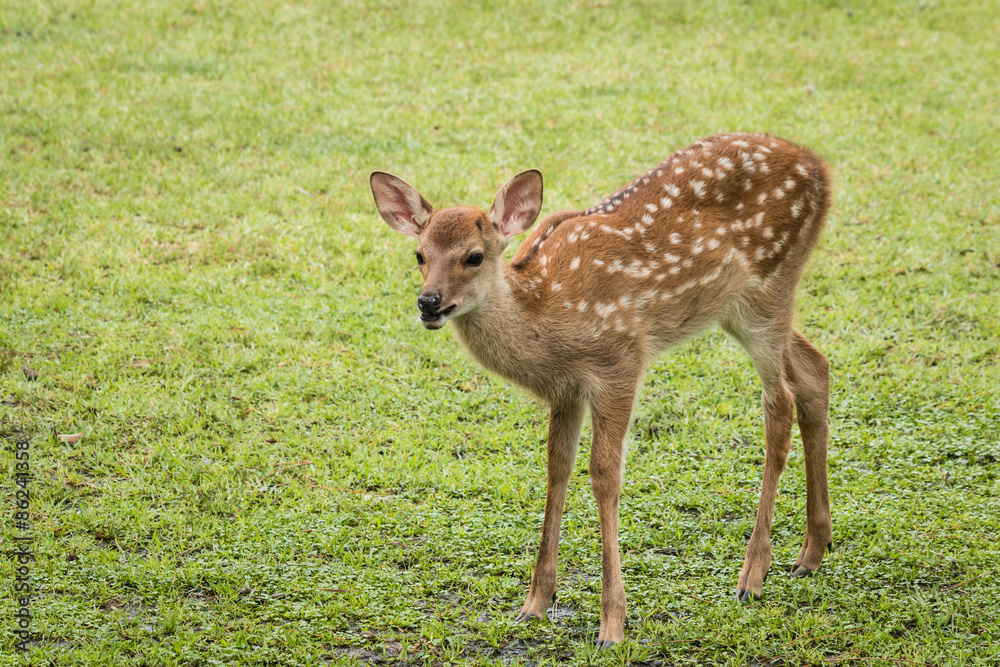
x=459 y=248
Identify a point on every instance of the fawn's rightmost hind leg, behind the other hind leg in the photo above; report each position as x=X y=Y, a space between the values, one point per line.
x=812 y=399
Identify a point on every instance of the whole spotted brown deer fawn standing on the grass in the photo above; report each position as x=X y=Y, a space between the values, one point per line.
x=718 y=232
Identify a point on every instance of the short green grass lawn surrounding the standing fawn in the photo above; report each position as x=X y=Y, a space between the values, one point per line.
x=280 y=466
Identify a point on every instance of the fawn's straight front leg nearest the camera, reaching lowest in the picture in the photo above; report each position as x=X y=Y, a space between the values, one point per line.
x=611 y=415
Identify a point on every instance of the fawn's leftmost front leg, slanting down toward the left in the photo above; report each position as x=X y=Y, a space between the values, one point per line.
x=564 y=439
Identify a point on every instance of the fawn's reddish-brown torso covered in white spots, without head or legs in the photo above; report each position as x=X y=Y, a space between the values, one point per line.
x=685 y=243
